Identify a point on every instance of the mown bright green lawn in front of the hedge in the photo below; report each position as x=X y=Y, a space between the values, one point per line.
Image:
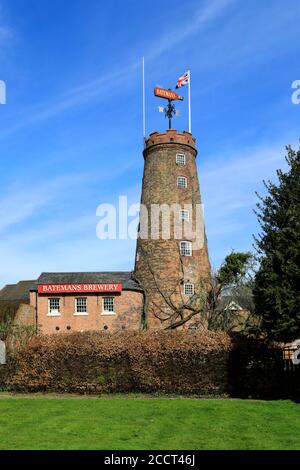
x=133 y=423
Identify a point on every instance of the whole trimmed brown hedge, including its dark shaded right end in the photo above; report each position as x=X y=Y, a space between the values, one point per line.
x=204 y=363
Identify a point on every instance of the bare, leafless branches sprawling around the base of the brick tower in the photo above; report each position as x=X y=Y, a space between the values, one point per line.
x=204 y=308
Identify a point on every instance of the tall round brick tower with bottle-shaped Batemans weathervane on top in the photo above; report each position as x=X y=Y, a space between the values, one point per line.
x=172 y=263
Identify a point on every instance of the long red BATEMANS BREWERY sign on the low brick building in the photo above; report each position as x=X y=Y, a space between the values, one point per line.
x=78 y=288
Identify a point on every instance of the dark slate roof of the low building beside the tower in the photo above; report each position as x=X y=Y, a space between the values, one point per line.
x=124 y=278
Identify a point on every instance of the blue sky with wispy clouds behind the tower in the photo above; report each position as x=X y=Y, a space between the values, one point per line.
x=71 y=131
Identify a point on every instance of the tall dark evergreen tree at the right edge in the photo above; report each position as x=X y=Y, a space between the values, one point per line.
x=277 y=282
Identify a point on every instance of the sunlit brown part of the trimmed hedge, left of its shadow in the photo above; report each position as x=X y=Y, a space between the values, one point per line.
x=92 y=362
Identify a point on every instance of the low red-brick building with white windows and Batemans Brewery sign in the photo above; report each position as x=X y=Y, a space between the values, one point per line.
x=86 y=301
